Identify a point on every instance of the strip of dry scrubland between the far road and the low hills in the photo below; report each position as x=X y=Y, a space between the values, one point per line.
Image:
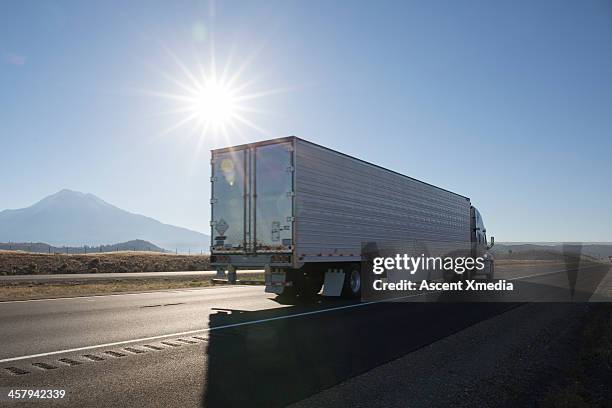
x=24 y=263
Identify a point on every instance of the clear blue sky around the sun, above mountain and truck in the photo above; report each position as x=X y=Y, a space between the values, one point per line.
x=509 y=103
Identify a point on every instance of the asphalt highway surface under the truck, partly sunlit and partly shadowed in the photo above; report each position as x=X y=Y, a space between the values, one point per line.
x=223 y=346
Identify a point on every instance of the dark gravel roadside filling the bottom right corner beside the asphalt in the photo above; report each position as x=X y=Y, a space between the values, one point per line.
x=540 y=354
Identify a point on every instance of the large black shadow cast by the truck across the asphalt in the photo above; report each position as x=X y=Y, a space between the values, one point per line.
x=281 y=360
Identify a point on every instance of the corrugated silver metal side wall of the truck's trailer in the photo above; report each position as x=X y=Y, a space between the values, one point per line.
x=342 y=201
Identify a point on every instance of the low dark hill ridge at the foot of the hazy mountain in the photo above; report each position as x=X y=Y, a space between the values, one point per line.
x=41 y=247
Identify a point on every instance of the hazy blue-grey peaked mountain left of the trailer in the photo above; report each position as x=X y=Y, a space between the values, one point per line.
x=72 y=218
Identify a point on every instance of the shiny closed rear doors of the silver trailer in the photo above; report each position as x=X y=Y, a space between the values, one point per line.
x=252 y=199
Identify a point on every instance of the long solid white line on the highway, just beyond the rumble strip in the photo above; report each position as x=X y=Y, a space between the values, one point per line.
x=209 y=329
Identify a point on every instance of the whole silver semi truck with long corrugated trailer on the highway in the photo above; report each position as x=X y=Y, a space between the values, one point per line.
x=301 y=212
